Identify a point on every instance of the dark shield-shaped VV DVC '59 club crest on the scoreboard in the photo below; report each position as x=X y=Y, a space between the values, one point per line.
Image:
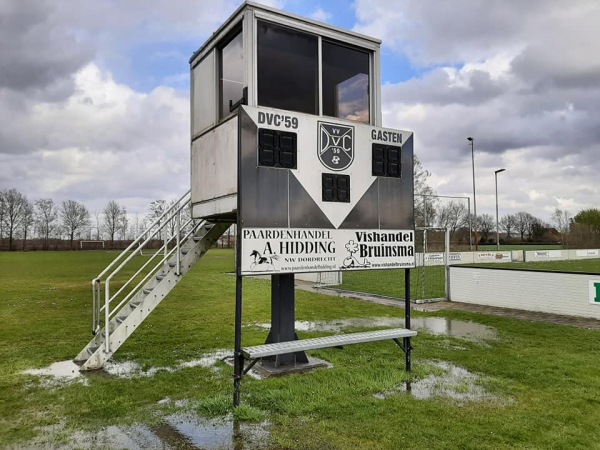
x=336 y=145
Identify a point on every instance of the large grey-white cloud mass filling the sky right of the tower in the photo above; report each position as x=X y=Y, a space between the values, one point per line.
x=525 y=84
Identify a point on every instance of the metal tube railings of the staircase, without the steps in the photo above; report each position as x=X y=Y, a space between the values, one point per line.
x=160 y=225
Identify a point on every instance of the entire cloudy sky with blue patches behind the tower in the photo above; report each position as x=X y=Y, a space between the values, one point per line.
x=94 y=95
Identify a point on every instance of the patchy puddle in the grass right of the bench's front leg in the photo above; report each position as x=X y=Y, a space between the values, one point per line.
x=455 y=383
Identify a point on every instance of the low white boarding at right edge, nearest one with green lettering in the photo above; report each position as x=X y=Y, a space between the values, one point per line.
x=572 y=294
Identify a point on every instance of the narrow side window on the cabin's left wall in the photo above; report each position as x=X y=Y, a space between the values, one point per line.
x=231 y=74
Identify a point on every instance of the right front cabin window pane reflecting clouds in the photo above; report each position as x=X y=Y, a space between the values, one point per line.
x=345 y=82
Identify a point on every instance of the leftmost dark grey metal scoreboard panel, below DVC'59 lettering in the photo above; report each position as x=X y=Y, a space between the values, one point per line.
x=263 y=190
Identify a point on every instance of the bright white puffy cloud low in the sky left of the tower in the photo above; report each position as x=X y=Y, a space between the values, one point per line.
x=105 y=141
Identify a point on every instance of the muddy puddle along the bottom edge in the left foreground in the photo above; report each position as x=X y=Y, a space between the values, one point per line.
x=179 y=431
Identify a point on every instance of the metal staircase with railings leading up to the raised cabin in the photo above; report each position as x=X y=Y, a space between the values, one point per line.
x=137 y=281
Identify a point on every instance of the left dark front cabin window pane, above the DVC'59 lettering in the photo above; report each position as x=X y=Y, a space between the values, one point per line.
x=287 y=69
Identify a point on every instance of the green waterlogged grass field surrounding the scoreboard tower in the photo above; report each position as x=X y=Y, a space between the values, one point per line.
x=534 y=385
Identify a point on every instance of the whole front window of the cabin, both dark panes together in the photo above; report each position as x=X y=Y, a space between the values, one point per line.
x=287 y=74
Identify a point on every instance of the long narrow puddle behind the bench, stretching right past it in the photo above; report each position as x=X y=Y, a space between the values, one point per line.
x=439 y=326
